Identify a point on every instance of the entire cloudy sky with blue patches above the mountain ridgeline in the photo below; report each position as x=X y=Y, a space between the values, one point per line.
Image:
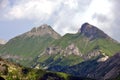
x=65 y=16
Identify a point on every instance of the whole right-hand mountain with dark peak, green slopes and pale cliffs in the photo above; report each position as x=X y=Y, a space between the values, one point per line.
x=71 y=49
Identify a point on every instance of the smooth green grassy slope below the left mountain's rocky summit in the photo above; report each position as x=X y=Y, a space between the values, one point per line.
x=26 y=47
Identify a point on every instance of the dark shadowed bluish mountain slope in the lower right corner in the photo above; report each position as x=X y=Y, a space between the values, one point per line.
x=107 y=70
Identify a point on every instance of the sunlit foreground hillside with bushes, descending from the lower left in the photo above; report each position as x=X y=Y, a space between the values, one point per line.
x=12 y=71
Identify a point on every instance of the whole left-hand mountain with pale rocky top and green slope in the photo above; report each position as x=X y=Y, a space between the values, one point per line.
x=23 y=48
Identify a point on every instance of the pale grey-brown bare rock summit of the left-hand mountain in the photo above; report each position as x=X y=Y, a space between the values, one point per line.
x=43 y=30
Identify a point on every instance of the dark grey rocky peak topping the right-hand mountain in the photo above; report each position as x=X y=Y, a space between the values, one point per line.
x=91 y=31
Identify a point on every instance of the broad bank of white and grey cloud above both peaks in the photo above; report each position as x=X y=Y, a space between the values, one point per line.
x=64 y=15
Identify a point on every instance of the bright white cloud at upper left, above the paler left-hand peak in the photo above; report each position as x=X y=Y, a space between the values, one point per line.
x=32 y=9
